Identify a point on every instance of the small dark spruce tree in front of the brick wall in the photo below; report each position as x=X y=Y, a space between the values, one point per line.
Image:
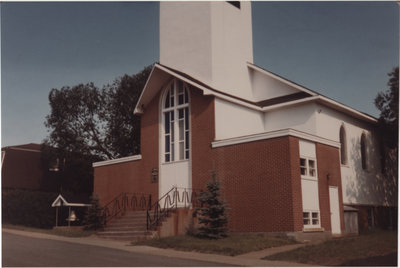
x=212 y=214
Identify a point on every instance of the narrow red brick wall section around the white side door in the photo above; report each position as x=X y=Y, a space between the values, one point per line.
x=328 y=161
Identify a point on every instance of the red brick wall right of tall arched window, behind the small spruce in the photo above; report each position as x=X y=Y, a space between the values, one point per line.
x=260 y=180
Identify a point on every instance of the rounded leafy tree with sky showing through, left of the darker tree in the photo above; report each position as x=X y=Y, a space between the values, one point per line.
x=77 y=120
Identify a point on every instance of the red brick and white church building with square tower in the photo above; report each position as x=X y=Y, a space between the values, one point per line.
x=289 y=159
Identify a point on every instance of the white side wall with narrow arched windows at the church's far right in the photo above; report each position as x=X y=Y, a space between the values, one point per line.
x=360 y=186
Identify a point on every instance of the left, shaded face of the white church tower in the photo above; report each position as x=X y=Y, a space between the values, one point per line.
x=185 y=40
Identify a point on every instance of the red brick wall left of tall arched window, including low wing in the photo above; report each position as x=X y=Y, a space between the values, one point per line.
x=134 y=176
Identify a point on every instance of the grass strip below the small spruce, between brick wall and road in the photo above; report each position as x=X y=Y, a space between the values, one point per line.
x=233 y=245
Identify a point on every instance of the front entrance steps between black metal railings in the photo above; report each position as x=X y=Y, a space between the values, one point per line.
x=131 y=226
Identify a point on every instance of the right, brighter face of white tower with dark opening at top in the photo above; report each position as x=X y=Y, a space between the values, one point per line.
x=232 y=48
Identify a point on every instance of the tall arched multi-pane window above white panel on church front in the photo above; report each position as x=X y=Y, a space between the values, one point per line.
x=175 y=112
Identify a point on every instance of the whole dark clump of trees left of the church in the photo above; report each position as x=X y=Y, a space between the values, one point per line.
x=87 y=124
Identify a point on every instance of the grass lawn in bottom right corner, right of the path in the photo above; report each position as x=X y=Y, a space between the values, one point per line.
x=340 y=250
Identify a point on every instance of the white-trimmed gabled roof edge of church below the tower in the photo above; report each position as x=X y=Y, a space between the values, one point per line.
x=161 y=74
